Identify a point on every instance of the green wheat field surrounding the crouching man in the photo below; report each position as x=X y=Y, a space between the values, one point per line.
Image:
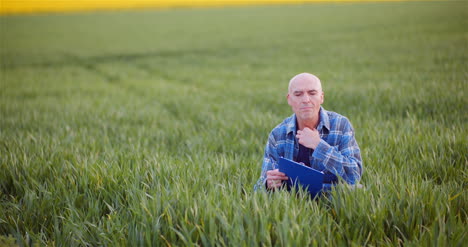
x=147 y=128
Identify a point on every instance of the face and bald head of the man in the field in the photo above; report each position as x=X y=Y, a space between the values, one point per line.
x=305 y=97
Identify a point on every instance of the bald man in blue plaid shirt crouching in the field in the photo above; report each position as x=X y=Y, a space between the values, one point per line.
x=317 y=138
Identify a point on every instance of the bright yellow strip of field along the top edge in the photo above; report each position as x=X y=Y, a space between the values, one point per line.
x=34 y=6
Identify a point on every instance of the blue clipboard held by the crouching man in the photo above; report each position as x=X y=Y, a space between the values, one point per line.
x=301 y=175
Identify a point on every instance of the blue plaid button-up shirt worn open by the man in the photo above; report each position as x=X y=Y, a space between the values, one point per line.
x=337 y=153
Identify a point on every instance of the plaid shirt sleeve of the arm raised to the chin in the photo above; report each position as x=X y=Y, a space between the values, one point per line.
x=344 y=159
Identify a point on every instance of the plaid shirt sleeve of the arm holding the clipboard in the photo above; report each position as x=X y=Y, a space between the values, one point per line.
x=270 y=162
